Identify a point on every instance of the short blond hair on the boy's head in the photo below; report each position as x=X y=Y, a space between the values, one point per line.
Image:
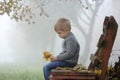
x=63 y=25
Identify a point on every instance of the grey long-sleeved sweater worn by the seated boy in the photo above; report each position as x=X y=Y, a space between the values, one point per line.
x=71 y=48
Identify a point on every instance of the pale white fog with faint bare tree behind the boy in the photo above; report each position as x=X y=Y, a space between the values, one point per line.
x=22 y=44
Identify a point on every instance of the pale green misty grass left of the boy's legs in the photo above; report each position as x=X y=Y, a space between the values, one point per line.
x=20 y=73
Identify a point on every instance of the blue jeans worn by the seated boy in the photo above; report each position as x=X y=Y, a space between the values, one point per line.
x=52 y=65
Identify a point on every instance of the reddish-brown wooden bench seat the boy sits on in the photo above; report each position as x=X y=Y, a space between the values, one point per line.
x=71 y=75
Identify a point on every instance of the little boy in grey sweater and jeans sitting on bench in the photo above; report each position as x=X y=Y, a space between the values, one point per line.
x=70 y=52
